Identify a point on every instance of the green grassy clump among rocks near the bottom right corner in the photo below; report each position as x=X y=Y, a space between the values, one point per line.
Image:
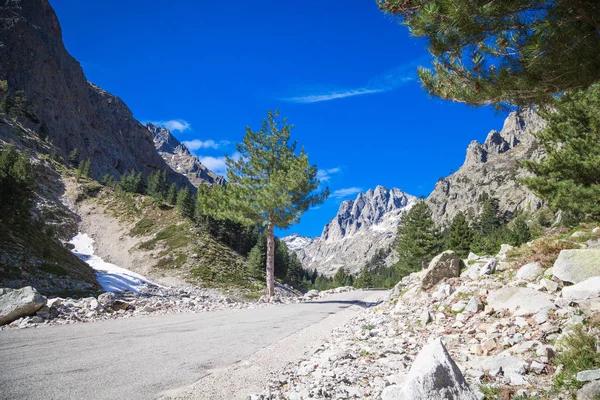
x=577 y=352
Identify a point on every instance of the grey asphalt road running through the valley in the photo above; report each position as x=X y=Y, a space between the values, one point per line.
x=138 y=358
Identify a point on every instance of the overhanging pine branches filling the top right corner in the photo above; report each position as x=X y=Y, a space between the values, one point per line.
x=505 y=52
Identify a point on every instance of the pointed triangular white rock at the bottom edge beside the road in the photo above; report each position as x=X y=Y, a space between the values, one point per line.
x=435 y=376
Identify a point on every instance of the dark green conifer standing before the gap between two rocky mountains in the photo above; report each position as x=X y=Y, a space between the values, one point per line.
x=418 y=240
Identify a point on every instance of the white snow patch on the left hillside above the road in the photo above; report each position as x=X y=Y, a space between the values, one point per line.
x=112 y=278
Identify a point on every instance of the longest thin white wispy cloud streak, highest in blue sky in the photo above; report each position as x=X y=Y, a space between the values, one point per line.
x=389 y=80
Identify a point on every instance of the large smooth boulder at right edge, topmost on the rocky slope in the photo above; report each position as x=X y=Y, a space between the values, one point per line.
x=577 y=265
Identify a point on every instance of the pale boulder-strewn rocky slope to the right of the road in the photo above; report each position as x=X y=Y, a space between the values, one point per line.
x=502 y=321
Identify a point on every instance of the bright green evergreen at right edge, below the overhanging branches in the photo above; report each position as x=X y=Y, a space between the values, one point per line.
x=568 y=177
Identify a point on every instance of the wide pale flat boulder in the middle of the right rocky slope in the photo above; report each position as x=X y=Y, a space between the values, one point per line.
x=520 y=301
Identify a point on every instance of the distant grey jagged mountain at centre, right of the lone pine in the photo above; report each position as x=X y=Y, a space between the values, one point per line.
x=360 y=228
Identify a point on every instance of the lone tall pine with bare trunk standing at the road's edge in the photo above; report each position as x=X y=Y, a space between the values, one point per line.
x=270 y=184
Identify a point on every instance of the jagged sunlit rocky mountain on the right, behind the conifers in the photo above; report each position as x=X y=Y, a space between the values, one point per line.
x=492 y=167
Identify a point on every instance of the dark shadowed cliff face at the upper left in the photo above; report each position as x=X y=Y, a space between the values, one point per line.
x=61 y=104
